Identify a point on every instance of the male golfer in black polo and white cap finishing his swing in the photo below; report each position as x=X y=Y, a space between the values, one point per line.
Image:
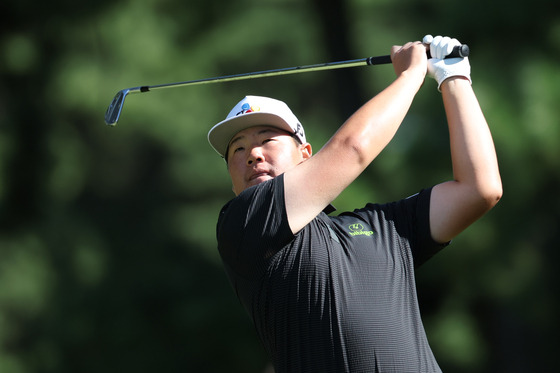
x=337 y=293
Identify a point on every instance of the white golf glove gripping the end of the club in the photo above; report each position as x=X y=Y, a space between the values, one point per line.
x=441 y=69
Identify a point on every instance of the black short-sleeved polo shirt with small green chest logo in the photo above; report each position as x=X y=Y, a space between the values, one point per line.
x=339 y=296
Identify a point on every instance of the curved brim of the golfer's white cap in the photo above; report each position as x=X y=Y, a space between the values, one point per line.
x=222 y=133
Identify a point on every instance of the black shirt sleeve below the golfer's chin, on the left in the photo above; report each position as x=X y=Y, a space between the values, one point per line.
x=252 y=228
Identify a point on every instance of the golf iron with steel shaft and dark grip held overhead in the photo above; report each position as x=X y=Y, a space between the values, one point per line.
x=114 y=110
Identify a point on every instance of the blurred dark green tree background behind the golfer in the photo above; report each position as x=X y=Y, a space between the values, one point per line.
x=108 y=257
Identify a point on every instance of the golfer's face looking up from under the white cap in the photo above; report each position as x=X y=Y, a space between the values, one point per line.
x=261 y=153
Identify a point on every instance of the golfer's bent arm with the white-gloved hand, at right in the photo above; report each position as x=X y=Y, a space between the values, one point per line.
x=476 y=185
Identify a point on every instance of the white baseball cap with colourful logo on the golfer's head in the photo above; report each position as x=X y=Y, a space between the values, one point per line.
x=250 y=112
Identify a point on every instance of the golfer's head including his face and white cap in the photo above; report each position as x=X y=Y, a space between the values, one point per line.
x=260 y=139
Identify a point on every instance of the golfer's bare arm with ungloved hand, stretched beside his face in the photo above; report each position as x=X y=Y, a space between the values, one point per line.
x=315 y=183
